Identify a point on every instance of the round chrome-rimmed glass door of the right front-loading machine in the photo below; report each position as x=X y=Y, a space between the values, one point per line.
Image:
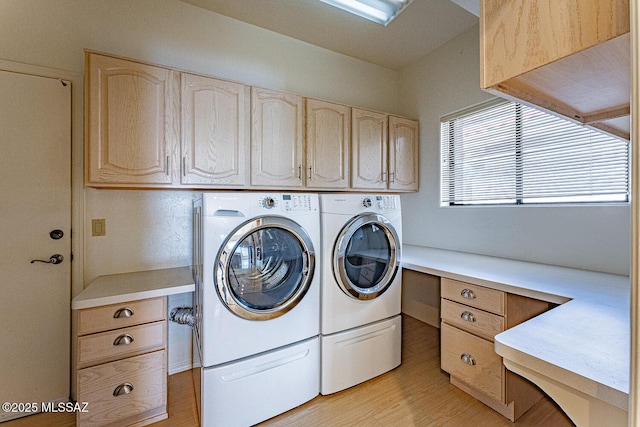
x=366 y=256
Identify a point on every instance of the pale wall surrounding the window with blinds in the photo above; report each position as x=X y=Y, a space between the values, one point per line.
x=593 y=238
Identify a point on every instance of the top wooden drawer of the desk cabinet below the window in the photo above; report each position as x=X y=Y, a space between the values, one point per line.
x=486 y=299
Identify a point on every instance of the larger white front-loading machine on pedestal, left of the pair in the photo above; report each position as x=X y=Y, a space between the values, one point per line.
x=256 y=304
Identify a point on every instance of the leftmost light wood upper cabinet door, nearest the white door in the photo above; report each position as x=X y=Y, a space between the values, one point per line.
x=131 y=123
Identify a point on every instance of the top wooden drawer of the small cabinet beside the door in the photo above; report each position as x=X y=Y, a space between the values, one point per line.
x=107 y=317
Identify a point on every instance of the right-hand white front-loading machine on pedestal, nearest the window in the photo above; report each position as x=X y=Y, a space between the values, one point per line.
x=361 y=288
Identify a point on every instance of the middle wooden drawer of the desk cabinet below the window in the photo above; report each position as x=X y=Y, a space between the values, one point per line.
x=471 y=319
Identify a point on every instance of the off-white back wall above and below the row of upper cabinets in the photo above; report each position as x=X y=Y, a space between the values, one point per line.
x=152 y=229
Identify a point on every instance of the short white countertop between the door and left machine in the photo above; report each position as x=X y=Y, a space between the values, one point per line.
x=118 y=288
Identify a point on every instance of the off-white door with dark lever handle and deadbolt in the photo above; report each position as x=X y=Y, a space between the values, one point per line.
x=35 y=199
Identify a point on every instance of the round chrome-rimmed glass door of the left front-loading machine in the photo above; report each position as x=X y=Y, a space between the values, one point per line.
x=264 y=268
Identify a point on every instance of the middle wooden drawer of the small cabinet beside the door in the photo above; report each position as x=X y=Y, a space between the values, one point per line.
x=120 y=343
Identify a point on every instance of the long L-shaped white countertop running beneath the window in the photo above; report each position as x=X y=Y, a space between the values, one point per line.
x=583 y=343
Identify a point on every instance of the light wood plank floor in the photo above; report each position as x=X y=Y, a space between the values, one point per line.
x=417 y=393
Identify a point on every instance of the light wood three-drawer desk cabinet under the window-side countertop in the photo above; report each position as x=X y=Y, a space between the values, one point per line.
x=471 y=316
